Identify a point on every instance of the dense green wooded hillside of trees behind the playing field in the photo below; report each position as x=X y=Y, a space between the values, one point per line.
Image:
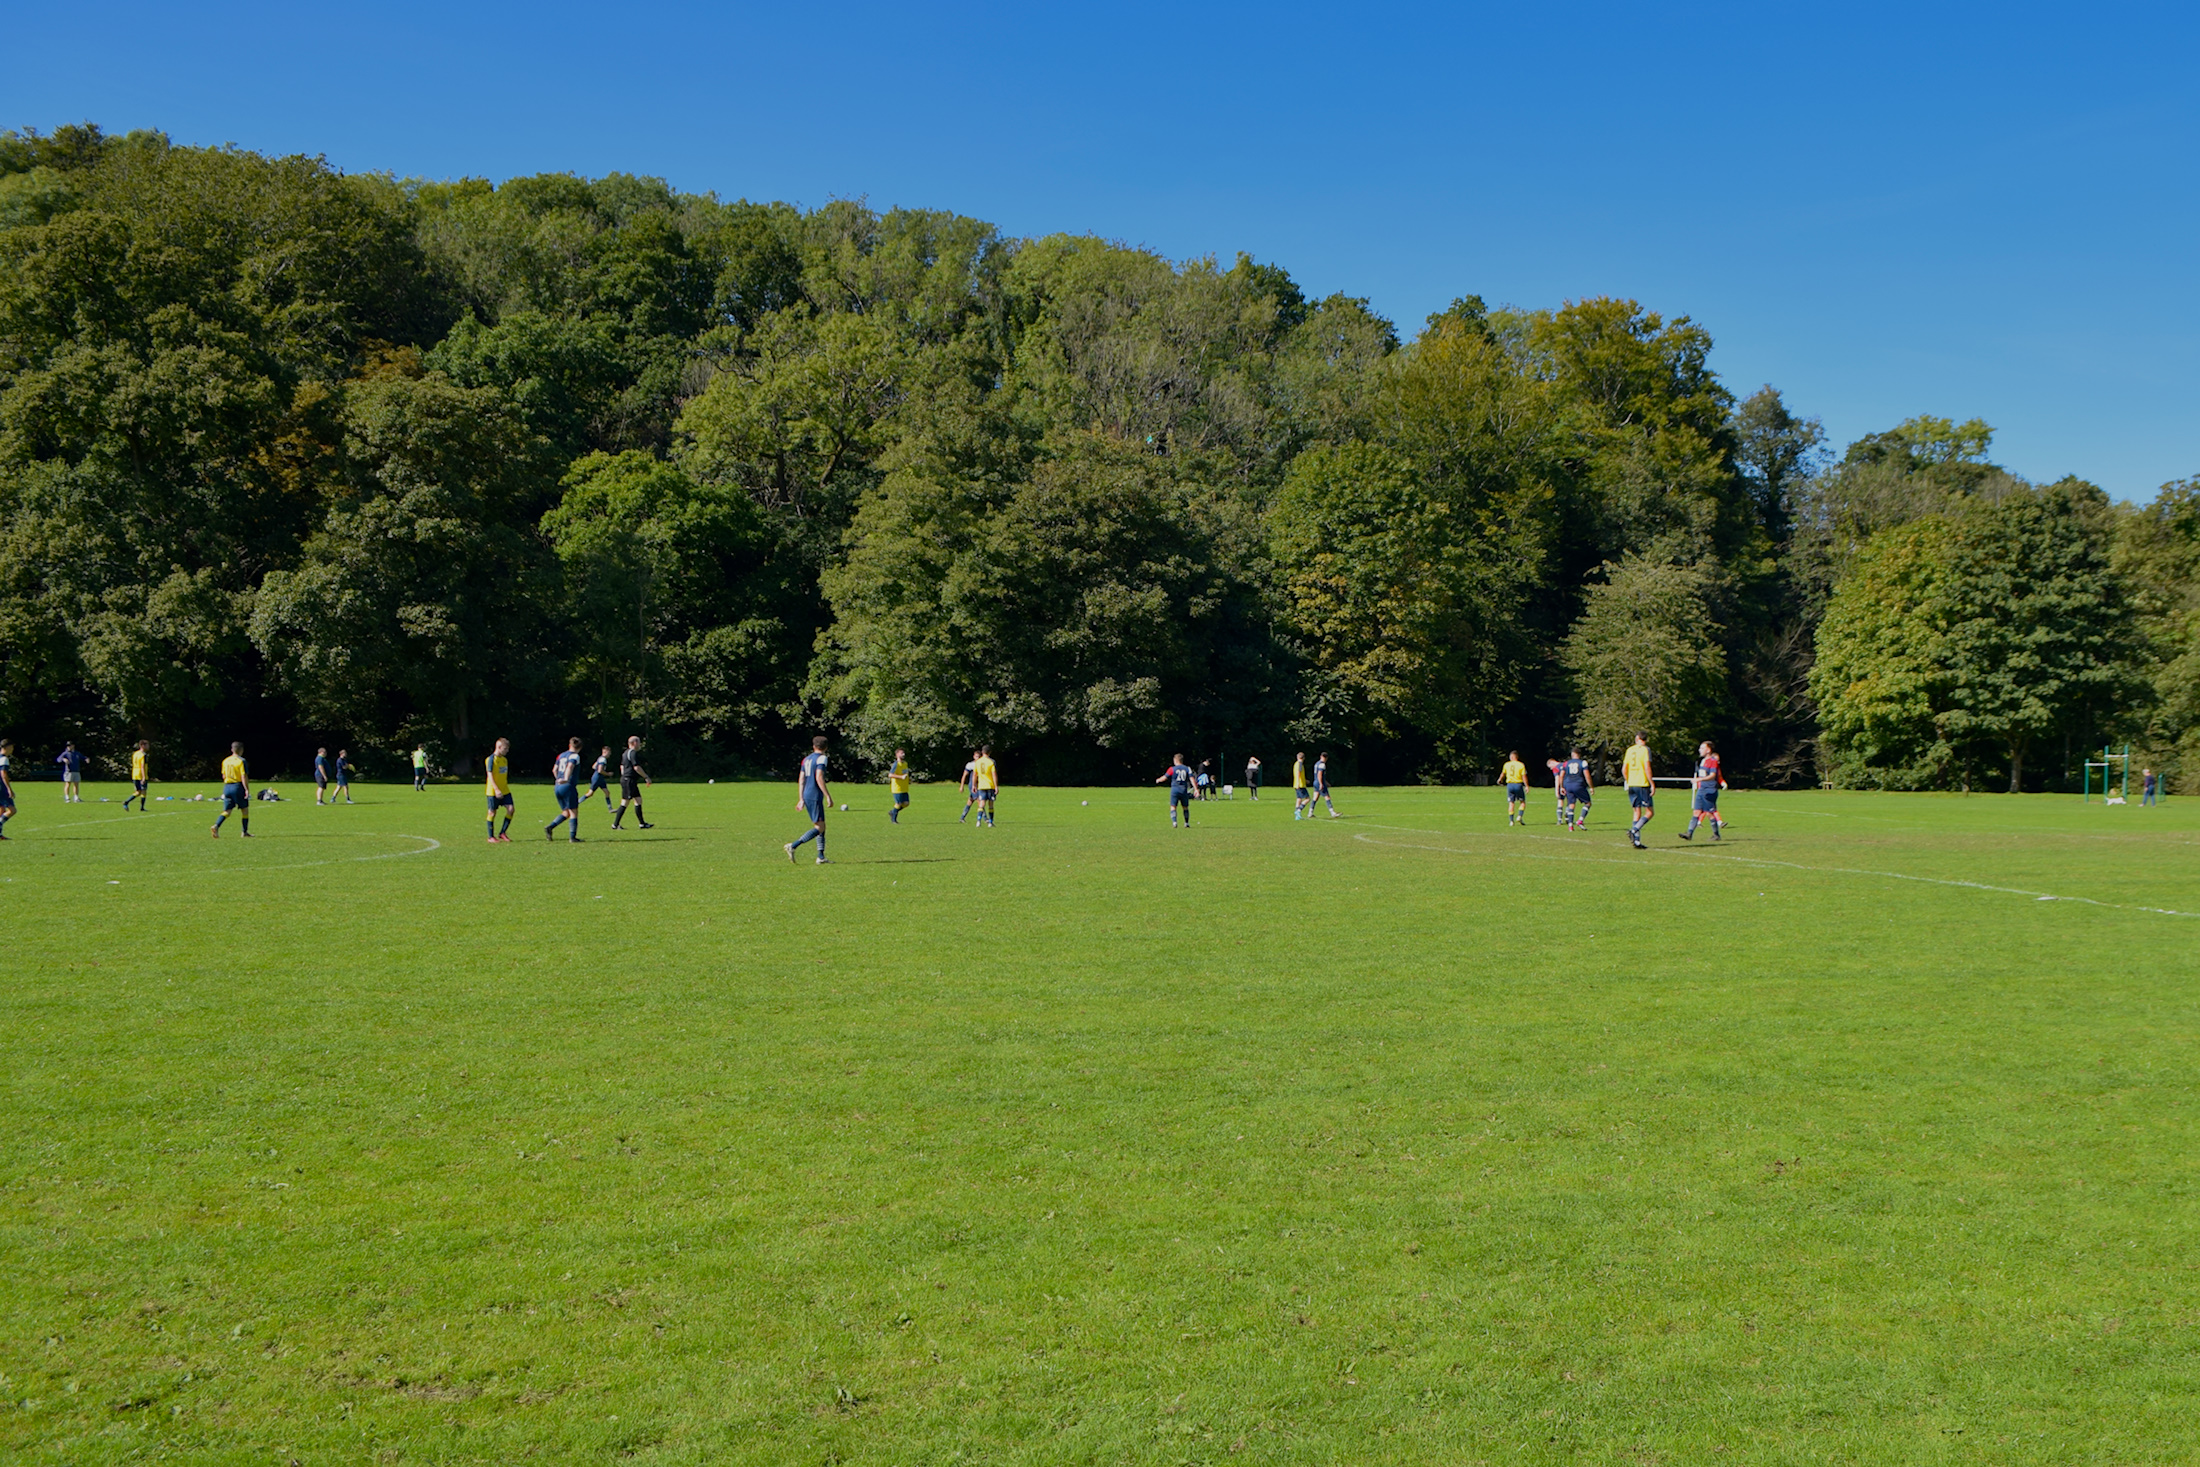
x=309 y=456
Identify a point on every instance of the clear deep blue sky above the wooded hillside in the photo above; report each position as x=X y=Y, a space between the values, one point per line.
x=1884 y=210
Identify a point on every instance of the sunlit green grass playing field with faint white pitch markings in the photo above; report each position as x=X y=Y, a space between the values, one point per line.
x=1400 y=1138
